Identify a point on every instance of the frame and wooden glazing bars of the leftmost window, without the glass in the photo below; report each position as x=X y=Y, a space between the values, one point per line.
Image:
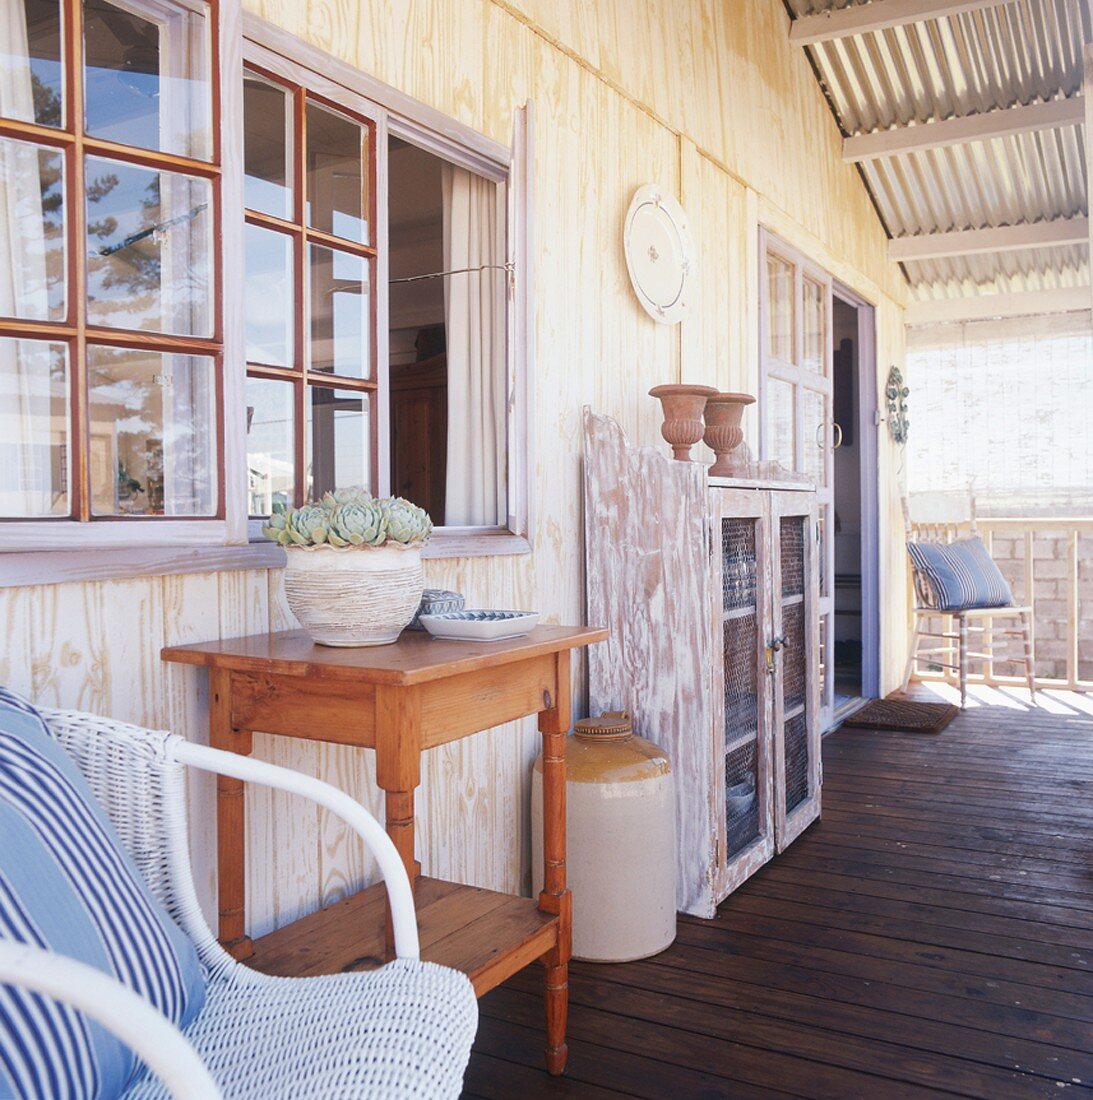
x=81 y=529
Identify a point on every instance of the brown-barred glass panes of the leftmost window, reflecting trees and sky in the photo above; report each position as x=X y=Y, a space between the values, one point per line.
x=111 y=327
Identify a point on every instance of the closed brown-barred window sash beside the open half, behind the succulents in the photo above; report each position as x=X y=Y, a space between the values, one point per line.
x=311 y=310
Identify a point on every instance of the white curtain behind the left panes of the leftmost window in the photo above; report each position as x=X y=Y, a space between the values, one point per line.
x=26 y=476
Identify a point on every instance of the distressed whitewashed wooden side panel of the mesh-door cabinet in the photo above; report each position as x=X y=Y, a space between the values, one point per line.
x=648 y=574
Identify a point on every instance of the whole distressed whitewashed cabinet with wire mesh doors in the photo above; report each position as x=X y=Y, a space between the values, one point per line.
x=710 y=590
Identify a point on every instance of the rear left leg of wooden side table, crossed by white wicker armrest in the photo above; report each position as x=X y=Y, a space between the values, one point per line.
x=231 y=827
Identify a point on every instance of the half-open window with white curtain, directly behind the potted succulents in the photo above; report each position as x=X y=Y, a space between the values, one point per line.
x=405 y=391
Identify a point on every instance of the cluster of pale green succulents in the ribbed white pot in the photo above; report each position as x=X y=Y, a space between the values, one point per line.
x=347 y=519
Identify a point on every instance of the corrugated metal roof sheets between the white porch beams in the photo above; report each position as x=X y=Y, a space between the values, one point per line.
x=1020 y=53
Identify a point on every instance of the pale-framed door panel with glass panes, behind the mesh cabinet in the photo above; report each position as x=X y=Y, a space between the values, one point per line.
x=797 y=409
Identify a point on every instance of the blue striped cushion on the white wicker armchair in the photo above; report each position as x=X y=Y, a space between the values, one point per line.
x=67 y=884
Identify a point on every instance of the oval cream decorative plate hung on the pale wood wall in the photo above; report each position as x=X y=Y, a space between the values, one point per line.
x=660 y=255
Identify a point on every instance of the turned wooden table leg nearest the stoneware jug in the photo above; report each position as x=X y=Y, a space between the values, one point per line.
x=556 y=897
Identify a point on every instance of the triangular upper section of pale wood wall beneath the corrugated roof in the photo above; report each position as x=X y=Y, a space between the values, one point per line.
x=726 y=76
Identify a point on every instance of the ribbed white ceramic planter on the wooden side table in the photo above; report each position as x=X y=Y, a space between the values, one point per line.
x=355 y=597
